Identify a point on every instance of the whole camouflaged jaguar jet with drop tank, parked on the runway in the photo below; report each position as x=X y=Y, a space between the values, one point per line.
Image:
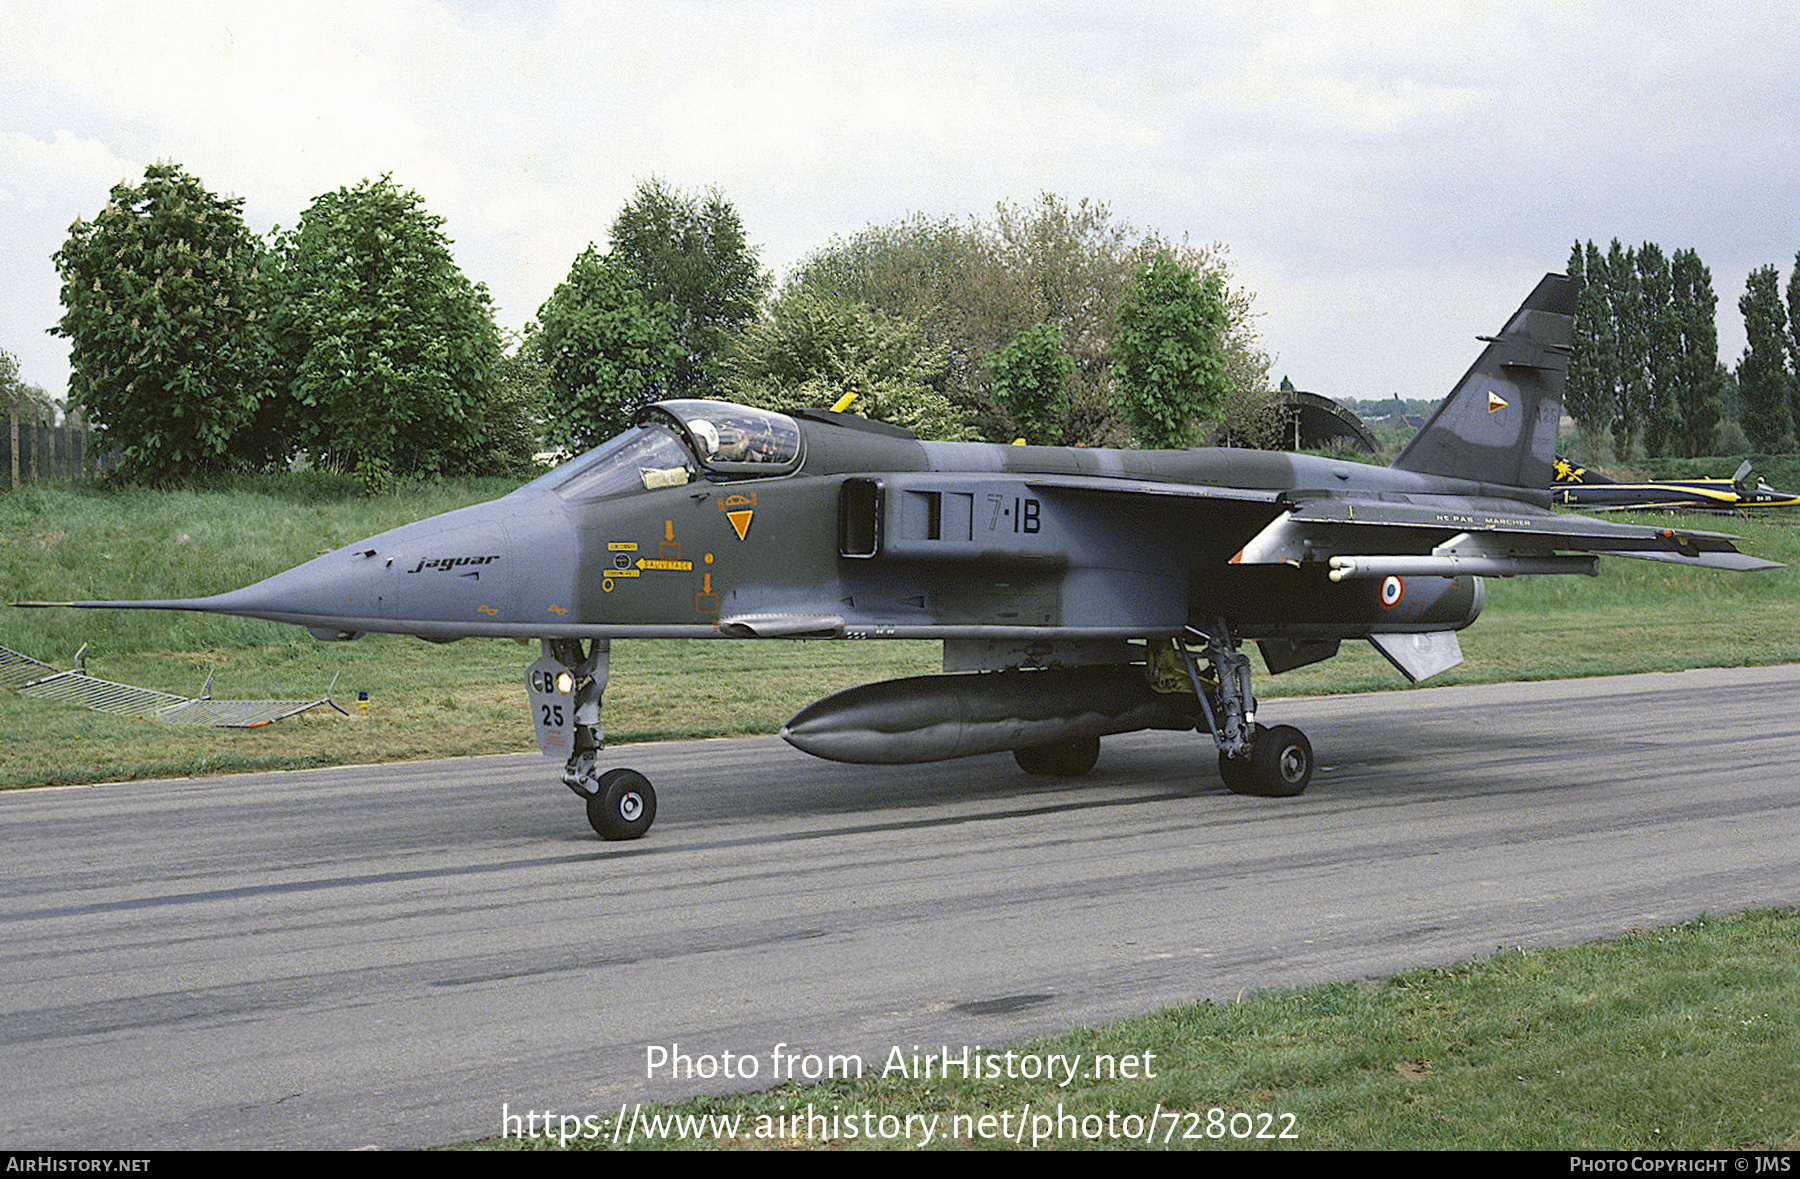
x=1079 y=593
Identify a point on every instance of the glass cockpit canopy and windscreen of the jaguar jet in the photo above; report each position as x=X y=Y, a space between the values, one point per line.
x=678 y=442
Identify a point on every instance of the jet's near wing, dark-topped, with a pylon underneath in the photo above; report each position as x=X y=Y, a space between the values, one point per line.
x=1455 y=535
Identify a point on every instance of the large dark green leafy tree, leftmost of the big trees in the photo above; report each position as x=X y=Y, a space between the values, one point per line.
x=163 y=301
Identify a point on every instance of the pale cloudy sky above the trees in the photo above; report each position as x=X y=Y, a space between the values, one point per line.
x=1390 y=179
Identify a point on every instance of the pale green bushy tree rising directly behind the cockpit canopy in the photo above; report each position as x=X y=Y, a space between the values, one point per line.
x=813 y=350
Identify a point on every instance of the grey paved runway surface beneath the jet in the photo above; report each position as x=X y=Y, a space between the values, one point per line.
x=397 y=955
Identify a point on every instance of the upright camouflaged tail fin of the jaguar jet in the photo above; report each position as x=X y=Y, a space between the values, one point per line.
x=1500 y=422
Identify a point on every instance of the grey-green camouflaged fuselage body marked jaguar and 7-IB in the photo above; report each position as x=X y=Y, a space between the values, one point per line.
x=877 y=535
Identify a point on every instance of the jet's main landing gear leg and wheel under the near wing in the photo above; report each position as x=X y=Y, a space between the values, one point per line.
x=1252 y=759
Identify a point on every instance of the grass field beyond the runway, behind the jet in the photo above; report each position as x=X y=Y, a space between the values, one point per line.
x=75 y=541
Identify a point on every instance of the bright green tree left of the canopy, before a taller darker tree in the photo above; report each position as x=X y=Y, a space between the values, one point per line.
x=609 y=352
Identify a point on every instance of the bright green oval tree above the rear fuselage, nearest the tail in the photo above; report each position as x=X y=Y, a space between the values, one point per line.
x=1171 y=354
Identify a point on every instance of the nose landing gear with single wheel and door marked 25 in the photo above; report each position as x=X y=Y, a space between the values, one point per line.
x=566 y=690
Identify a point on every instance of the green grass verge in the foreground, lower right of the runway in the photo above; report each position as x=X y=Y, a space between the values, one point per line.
x=1666 y=1039
